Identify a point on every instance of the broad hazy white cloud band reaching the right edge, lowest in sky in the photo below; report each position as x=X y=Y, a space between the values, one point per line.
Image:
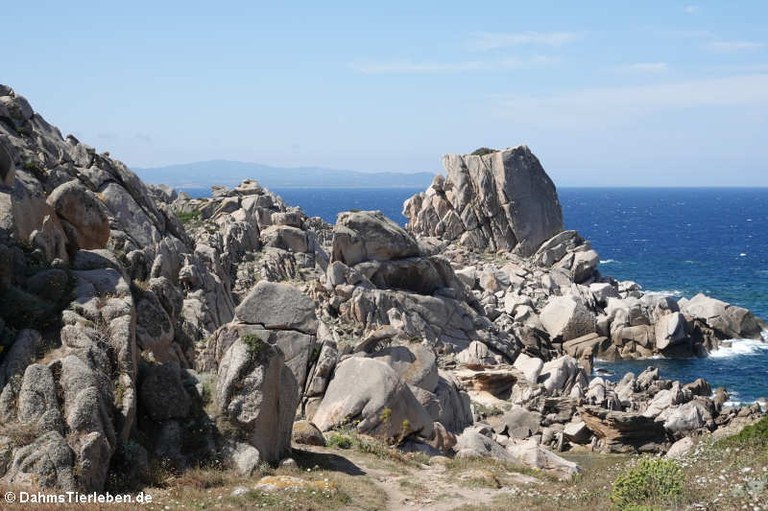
x=620 y=104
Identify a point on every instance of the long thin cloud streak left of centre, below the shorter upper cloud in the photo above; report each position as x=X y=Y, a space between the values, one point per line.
x=405 y=67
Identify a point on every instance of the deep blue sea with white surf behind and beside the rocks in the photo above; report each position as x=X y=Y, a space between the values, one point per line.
x=675 y=241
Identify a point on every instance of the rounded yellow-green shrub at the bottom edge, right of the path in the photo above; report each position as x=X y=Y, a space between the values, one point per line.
x=651 y=481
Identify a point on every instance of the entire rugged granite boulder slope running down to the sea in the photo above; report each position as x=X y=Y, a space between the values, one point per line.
x=140 y=325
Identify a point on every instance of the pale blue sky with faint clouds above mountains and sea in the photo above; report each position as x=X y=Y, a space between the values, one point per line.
x=654 y=93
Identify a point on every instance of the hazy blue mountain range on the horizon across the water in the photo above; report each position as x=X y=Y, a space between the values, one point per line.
x=229 y=173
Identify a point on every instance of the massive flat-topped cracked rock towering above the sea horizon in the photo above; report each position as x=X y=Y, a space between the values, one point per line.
x=498 y=201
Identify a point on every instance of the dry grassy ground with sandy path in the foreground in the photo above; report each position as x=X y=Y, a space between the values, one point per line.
x=731 y=475
